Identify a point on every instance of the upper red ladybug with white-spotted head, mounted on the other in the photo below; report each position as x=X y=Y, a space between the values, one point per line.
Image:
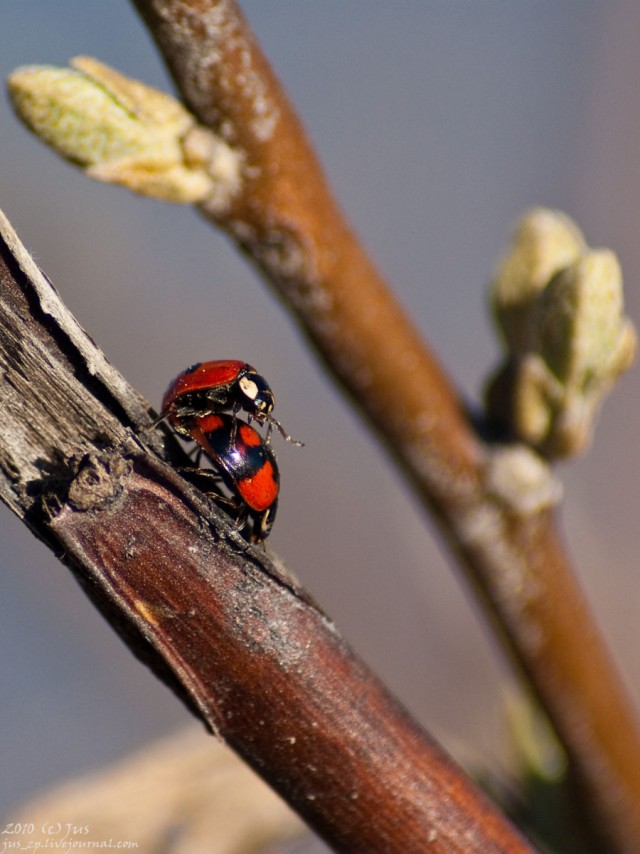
x=224 y=385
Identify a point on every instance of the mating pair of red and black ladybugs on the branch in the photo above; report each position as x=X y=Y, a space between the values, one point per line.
x=201 y=404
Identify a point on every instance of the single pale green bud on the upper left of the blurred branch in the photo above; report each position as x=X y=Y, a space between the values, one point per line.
x=123 y=132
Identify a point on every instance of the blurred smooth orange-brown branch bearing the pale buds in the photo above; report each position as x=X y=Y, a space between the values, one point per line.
x=286 y=220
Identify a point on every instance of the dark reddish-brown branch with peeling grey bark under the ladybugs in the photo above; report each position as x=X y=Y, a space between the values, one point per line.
x=217 y=619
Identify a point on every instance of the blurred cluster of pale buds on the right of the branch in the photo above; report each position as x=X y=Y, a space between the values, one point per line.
x=568 y=340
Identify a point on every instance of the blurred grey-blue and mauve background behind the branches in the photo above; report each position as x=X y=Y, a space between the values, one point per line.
x=438 y=124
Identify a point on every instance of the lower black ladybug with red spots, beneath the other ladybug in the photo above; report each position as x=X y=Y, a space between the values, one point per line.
x=247 y=466
